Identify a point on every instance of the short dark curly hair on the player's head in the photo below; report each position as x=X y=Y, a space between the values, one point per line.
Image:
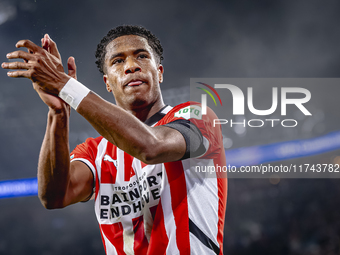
x=114 y=33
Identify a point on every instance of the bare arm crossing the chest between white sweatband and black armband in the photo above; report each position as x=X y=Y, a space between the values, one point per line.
x=151 y=145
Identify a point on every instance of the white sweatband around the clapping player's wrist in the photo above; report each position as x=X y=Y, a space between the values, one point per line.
x=73 y=93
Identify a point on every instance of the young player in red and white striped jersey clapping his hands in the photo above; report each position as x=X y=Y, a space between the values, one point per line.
x=148 y=197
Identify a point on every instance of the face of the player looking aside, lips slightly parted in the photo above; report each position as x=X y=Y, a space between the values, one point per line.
x=132 y=72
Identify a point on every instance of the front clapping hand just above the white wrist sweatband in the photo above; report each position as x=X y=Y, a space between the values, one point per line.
x=42 y=67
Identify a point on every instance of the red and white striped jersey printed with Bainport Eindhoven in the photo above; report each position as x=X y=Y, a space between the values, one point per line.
x=169 y=208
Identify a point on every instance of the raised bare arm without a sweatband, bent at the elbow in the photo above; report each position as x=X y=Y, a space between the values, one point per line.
x=60 y=183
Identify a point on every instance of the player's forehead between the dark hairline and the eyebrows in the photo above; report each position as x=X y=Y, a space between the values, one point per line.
x=127 y=43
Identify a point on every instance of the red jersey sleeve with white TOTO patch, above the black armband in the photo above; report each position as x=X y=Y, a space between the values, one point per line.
x=212 y=136
